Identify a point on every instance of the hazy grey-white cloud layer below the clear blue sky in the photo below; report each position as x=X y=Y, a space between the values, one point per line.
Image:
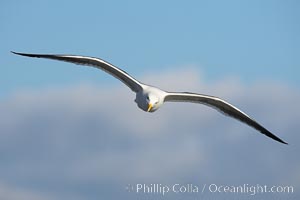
x=89 y=142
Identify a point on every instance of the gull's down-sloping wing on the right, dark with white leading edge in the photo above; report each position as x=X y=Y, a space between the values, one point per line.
x=222 y=106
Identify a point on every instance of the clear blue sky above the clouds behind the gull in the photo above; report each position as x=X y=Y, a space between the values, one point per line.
x=250 y=40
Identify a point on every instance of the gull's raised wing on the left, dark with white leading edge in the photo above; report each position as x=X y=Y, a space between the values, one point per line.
x=132 y=83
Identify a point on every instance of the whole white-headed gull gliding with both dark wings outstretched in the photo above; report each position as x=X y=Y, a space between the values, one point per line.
x=149 y=98
